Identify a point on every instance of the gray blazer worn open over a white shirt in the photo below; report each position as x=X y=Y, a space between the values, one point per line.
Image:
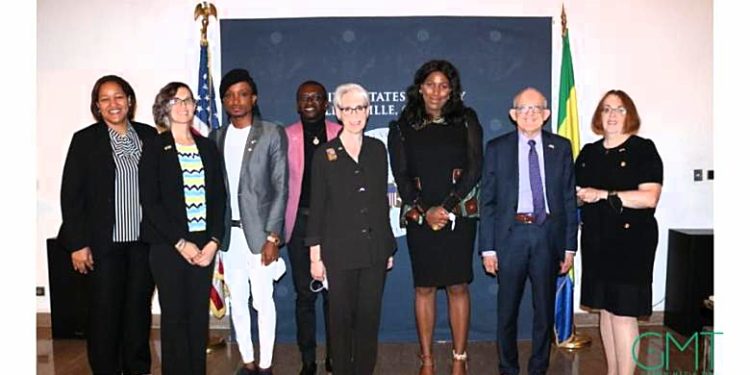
x=263 y=187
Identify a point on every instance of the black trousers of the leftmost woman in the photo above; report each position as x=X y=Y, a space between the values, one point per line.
x=120 y=288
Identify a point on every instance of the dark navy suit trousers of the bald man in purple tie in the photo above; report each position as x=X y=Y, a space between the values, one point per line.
x=526 y=255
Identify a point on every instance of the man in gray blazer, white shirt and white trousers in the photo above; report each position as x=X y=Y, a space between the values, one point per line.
x=255 y=160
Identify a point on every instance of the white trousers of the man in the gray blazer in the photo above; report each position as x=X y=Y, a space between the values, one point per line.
x=243 y=273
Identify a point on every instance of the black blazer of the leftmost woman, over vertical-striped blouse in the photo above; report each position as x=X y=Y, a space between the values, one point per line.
x=87 y=193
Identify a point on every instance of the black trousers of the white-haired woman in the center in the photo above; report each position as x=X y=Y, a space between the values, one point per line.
x=355 y=302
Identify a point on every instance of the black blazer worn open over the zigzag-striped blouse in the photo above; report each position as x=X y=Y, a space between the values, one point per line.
x=162 y=190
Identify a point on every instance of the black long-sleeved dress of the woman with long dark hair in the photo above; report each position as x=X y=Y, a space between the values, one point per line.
x=423 y=160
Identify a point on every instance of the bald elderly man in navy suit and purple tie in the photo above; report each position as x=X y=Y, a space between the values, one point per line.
x=528 y=227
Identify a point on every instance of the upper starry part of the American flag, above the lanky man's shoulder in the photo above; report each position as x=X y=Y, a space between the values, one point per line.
x=206 y=115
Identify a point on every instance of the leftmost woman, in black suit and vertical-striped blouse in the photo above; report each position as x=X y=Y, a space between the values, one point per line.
x=101 y=217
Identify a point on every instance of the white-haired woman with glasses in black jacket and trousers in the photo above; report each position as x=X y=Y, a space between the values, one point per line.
x=349 y=233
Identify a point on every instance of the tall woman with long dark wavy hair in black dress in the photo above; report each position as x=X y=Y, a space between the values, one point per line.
x=436 y=159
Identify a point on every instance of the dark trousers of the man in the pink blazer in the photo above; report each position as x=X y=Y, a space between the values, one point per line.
x=299 y=258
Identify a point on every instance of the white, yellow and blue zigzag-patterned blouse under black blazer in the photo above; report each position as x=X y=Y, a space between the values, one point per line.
x=194 y=184
